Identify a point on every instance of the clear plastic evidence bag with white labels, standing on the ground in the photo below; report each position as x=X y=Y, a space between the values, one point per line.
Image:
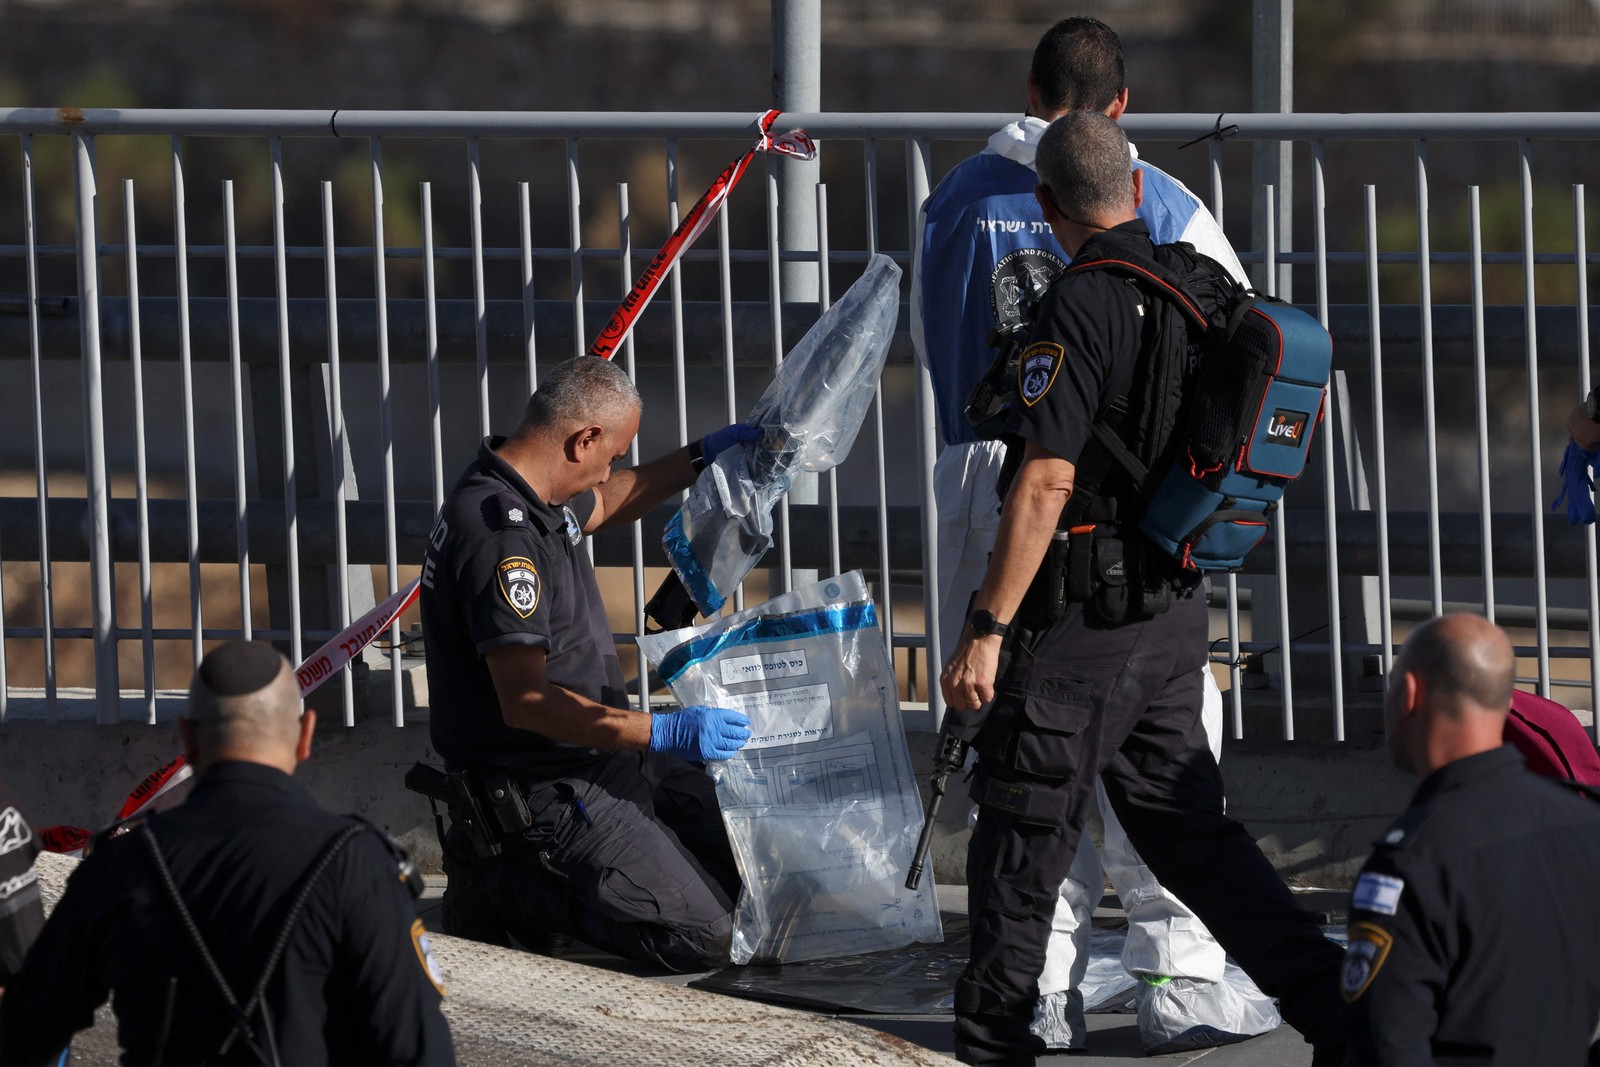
x=822 y=805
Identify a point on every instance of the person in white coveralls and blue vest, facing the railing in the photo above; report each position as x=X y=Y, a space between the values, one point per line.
x=983 y=254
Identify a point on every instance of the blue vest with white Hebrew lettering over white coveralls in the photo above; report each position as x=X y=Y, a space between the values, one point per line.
x=975 y=225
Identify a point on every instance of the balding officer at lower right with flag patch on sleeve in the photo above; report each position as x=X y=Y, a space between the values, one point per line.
x=1473 y=932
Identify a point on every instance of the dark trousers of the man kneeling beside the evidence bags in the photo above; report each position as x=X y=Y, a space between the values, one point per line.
x=626 y=853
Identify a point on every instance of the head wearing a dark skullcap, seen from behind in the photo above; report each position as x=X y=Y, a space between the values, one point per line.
x=244 y=705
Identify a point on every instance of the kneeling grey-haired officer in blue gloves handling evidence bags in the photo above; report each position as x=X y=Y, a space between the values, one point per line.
x=601 y=826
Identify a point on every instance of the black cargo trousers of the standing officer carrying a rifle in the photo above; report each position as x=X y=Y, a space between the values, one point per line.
x=1124 y=703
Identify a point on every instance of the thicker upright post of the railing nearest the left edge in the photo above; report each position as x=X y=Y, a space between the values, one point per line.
x=108 y=698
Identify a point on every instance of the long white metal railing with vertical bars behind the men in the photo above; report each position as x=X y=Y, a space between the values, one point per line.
x=292 y=343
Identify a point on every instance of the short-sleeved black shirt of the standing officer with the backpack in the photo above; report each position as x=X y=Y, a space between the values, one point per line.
x=1084 y=348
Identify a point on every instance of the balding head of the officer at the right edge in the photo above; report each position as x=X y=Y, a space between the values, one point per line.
x=1450 y=692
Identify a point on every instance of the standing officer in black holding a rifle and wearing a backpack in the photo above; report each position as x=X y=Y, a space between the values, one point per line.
x=1092 y=692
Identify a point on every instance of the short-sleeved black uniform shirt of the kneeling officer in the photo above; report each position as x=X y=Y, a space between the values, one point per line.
x=506 y=569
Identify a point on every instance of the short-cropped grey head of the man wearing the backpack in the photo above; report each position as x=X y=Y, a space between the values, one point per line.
x=1086 y=164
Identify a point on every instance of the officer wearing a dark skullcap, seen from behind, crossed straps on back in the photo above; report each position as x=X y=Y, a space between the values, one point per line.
x=244 y=927
